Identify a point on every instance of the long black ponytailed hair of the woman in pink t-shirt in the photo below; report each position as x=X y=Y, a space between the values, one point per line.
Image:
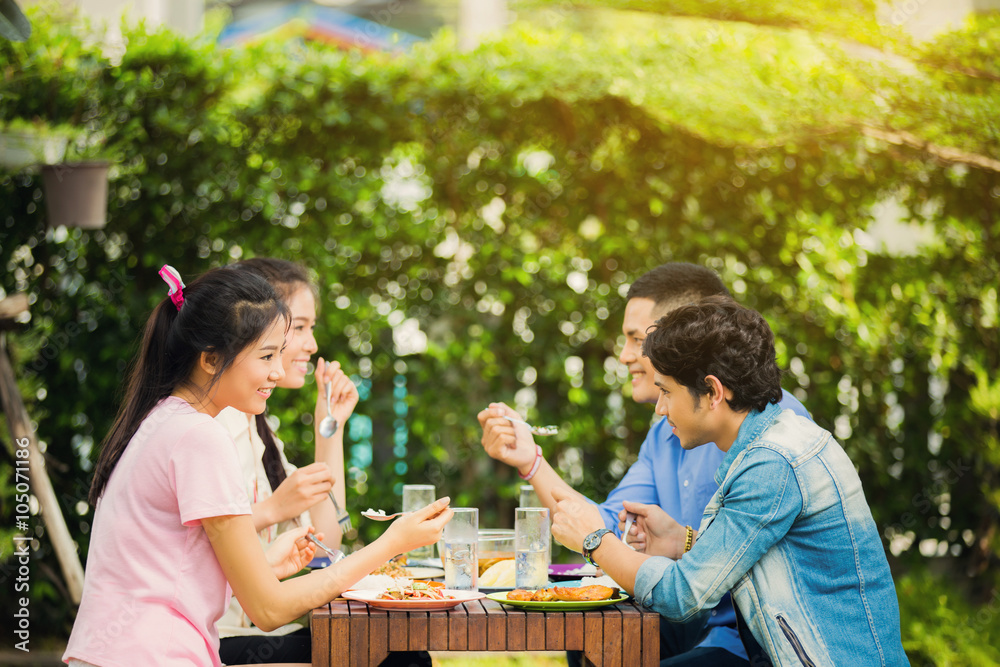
x=223 y=312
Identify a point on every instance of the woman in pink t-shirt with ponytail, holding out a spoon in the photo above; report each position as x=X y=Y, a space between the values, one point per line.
x=173 y=529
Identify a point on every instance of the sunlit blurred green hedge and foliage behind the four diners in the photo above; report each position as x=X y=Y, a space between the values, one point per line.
x=475 y=219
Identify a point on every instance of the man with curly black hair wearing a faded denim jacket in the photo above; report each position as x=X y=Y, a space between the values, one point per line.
x=789 y=531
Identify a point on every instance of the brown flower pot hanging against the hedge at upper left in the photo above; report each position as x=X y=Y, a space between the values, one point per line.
x=76 y=194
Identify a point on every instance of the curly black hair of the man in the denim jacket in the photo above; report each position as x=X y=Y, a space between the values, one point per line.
x=717 y=336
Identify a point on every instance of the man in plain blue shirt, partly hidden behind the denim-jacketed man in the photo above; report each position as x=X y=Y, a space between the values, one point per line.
x=679 y=481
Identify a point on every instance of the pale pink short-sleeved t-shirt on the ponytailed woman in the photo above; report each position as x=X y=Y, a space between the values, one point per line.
x=154 y=589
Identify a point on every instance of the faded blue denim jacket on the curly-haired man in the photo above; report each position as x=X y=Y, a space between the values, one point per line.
x=789 y=532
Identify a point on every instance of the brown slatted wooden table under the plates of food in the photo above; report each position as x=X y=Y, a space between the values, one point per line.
x=351 y=633
